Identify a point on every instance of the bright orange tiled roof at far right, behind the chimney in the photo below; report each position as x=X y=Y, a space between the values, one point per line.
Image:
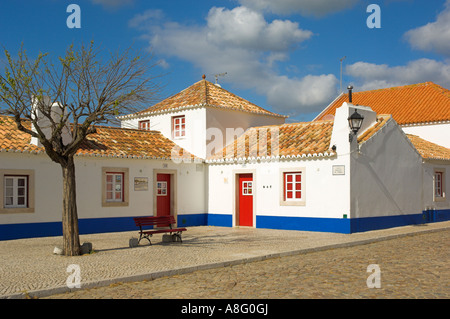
x=410 y=104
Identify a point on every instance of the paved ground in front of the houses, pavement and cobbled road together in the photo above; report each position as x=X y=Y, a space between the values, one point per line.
x=218 y=262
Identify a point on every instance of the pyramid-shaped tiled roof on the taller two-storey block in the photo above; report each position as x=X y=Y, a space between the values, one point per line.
x=203 y=94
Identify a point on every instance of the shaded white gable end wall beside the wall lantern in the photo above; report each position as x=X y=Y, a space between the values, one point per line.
x=386 y=175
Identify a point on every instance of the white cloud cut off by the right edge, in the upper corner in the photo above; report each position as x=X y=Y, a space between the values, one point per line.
x=434 y=36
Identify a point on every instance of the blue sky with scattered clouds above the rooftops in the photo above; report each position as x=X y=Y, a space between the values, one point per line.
x=283 y=55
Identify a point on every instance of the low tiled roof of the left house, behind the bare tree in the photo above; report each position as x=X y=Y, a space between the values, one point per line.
x=106 y=142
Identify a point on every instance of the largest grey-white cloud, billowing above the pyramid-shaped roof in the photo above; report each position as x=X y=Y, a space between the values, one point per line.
x=246 y=46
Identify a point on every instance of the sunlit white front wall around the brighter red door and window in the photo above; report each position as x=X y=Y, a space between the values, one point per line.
x=326 y=195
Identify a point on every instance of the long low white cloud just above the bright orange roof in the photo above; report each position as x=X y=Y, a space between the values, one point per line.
x=374 y=76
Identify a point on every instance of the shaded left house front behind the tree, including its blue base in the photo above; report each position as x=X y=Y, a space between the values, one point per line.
x=45 y=192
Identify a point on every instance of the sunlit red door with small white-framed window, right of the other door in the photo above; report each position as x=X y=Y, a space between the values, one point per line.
x=245 y=200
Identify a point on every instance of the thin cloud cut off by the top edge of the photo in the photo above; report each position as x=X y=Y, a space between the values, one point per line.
x=305 y=7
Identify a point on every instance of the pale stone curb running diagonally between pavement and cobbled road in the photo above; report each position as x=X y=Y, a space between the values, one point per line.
x=165 y=273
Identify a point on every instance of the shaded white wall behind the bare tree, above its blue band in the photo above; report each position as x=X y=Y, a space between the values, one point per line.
x=48 y=187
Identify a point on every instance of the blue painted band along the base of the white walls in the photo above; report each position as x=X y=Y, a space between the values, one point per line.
x=335 y=225
